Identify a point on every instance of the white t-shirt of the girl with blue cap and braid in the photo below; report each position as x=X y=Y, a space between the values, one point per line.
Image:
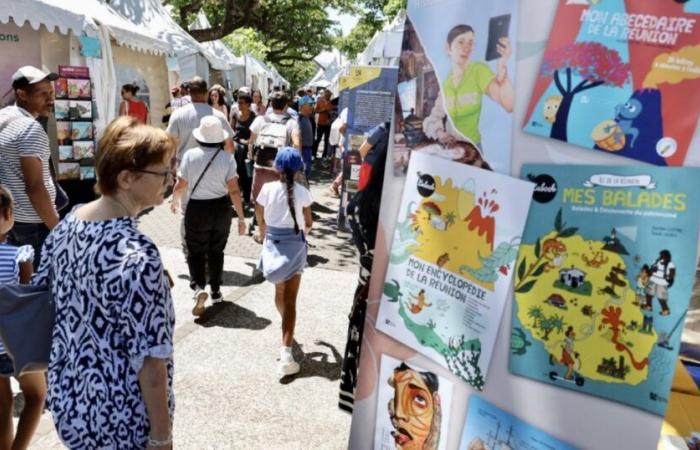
x=273 y=197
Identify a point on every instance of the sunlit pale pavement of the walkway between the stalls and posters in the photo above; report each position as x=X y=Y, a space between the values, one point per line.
x=227 y=393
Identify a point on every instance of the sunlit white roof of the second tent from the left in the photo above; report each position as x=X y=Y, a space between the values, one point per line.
x=151 y=15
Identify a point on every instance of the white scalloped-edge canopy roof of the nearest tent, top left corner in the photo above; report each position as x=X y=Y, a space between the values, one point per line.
x=78 y=17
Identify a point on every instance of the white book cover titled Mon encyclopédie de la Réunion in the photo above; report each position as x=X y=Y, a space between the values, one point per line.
x=451 y=262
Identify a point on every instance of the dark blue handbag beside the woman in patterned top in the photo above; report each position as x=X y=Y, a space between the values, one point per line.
x=27 y=315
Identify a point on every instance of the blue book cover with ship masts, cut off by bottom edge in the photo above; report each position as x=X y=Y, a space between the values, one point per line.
x=488 y=427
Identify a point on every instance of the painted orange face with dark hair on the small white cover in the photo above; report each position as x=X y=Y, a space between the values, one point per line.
x=415 y=410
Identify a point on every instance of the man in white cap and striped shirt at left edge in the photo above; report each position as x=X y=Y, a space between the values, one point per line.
x=24 y=151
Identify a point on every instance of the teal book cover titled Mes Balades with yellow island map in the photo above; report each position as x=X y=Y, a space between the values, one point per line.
x=604 y=276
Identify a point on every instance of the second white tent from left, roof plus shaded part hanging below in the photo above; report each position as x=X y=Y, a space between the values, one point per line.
x=193 y=57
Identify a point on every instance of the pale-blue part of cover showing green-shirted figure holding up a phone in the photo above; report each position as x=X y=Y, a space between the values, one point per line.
x=471 y=47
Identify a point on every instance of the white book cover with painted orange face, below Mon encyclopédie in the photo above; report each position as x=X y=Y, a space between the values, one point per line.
x=413 y=407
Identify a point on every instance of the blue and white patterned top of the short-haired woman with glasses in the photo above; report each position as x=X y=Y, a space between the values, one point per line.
x=113 y=309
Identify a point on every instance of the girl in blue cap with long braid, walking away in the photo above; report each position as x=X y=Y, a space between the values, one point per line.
x=283 y=205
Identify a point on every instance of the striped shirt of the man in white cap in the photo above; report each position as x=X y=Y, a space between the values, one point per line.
x=21 y=136
